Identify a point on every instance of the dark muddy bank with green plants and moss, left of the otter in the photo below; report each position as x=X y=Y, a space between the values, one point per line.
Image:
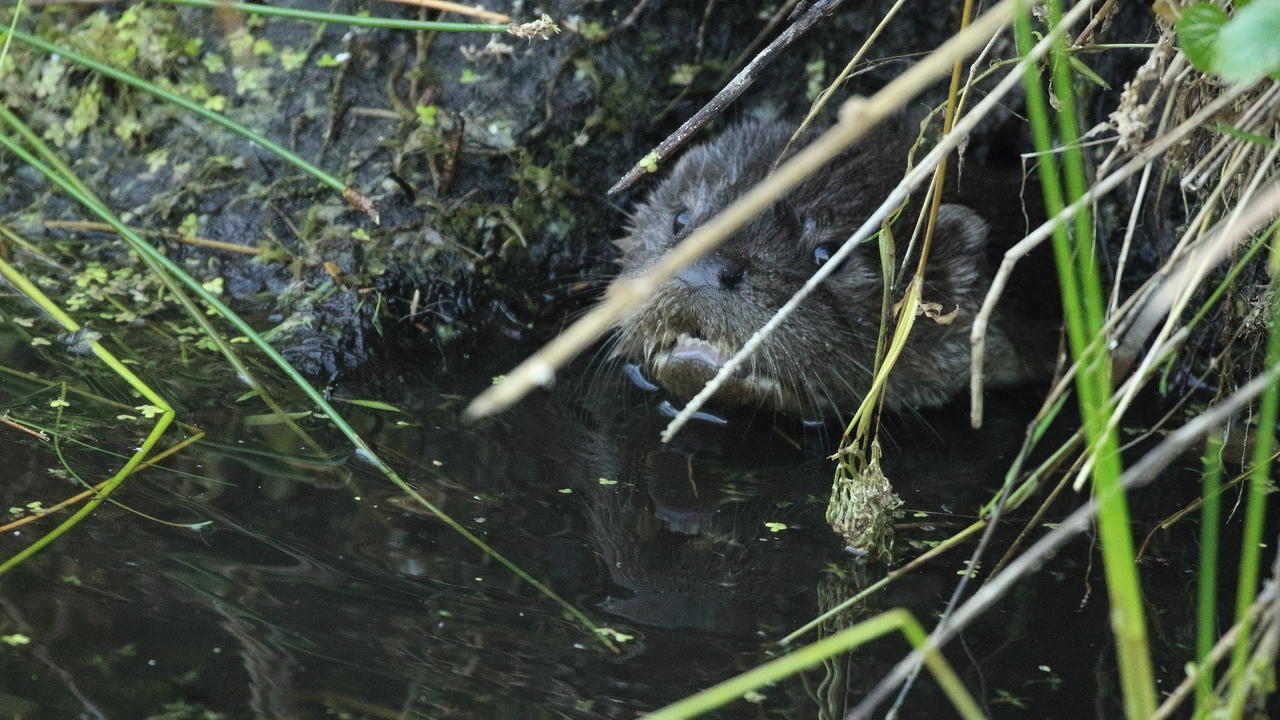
x=486 y=156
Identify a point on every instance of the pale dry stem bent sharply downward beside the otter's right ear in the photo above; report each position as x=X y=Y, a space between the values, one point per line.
x=979 y=336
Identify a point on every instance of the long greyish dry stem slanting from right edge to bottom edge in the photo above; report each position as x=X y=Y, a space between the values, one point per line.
x=1077 y=523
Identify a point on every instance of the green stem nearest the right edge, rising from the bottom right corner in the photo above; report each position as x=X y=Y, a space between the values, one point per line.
x=1256 y=508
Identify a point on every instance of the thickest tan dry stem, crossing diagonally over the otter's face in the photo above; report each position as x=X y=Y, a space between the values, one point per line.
x=857 y=116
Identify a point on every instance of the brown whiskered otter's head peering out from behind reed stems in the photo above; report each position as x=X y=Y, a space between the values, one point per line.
x=820 y=362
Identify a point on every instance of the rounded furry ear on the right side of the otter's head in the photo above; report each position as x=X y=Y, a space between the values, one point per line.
x=958 y=258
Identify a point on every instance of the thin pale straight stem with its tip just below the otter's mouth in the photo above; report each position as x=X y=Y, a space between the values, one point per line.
x=895 y=198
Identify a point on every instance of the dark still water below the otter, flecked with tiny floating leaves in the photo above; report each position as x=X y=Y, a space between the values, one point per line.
x=318 y=590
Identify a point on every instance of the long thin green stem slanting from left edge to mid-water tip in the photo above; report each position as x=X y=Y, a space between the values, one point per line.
x=292 y=373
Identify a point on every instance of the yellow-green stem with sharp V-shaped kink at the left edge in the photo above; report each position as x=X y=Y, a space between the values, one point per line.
x=103 y=354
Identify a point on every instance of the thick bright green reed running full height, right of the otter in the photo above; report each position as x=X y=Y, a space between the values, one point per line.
x=1082 y=311
